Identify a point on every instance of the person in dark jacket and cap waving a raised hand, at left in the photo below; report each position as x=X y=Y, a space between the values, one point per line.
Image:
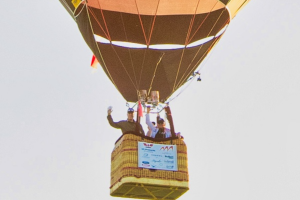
x=128 y=125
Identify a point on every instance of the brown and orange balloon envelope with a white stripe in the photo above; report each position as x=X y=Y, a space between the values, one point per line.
x=151 y=45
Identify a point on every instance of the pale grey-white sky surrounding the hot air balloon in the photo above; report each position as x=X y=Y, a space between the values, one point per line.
x=240 y=123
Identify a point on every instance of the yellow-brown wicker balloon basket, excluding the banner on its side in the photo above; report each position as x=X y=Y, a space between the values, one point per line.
x=130 y=181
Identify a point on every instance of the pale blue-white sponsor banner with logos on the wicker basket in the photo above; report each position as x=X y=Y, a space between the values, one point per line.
x=157 y=156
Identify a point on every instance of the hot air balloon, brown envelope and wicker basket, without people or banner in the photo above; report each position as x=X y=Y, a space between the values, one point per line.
x=149 y=49
